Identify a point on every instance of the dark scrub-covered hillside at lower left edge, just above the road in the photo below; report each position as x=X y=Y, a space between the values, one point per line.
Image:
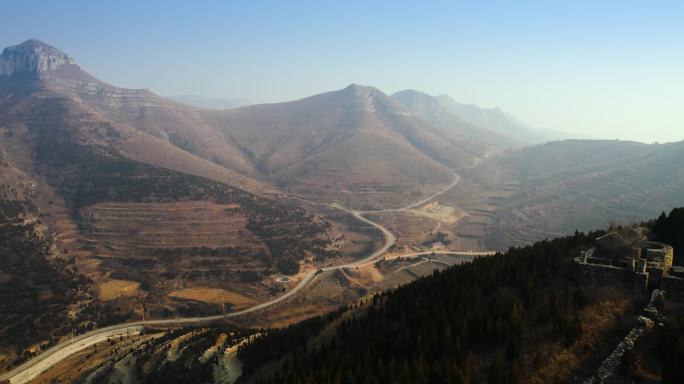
x=42 y=298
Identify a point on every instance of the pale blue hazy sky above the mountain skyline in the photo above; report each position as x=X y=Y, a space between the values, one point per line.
x=610 y=69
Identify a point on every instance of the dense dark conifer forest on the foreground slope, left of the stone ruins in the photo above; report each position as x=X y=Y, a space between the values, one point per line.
x=484 y=320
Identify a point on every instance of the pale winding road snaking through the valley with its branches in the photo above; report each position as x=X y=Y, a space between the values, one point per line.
x=41 y=363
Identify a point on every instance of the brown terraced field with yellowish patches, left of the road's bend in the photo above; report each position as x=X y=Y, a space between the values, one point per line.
x=181 y=253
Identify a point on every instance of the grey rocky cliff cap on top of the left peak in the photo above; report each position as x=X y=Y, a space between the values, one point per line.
x=32 y=56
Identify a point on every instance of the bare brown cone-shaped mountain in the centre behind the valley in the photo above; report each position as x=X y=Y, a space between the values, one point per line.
x=355 y=145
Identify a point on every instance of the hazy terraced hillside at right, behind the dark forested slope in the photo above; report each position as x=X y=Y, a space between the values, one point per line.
x=556 y=188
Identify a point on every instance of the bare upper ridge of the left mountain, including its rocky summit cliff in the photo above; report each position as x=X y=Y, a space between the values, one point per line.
x=23 y=79
